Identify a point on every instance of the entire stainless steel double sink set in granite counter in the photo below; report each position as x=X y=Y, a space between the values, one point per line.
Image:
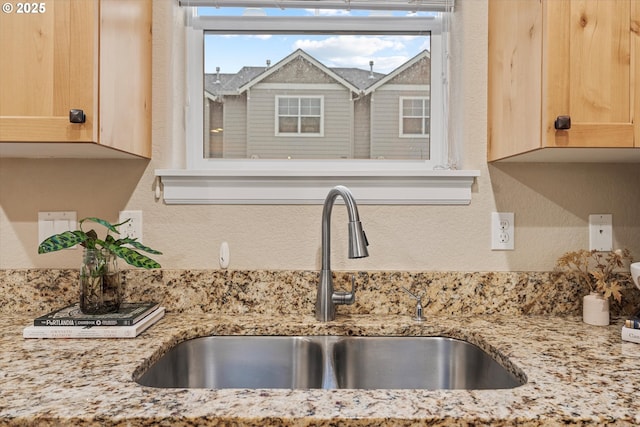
x=329 y=362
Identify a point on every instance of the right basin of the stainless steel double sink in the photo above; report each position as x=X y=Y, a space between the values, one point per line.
x=417 y=362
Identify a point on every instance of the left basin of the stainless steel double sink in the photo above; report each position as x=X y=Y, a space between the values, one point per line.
x=239 y=362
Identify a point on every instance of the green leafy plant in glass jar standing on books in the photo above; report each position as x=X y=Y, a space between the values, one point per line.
x=100 y=284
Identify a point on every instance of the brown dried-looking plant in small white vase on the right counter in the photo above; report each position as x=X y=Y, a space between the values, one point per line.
x=598 y=272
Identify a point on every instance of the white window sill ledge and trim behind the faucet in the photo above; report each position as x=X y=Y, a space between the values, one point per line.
x=434 y=187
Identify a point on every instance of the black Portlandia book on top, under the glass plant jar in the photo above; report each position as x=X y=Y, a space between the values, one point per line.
x=128 y=314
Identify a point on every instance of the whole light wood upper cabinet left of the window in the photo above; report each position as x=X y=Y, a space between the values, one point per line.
x=75 y=79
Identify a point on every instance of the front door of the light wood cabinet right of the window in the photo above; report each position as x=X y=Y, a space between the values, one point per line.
x=589 y=73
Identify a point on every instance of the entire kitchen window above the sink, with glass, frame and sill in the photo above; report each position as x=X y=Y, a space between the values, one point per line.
x=306 y=117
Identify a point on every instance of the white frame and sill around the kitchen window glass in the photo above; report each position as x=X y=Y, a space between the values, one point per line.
x=251 y=181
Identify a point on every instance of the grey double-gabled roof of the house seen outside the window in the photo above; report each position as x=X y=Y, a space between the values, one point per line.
x=355 y=79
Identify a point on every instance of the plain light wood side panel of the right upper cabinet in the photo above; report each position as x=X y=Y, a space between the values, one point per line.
x=514 y=78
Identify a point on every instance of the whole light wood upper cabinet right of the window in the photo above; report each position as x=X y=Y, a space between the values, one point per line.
x=564 y=80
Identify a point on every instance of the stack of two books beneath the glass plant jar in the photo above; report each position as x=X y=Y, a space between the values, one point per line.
x=69 y=322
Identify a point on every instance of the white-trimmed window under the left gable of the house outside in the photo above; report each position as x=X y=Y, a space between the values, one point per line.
x=299 y=115
